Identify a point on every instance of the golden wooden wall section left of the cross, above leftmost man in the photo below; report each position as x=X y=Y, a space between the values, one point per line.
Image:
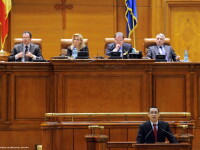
x=42 y=20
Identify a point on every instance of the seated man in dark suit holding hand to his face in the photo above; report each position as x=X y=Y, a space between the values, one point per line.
x=119 y=46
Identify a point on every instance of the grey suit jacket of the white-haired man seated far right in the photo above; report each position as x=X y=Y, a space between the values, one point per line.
x=154 y=50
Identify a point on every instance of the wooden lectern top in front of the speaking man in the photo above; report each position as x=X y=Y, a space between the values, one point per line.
x=163 y=146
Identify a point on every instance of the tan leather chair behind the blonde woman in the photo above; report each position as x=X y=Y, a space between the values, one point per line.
x=65 y=43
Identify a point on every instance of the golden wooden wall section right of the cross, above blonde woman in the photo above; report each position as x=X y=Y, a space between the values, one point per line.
x=91 y=19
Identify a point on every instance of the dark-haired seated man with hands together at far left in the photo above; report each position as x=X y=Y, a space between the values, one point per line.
x=25 y=51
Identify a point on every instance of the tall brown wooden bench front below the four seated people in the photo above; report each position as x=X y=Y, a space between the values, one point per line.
x=93 y=86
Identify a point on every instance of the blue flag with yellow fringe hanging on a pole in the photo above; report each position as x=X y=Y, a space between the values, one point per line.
x=131 y=16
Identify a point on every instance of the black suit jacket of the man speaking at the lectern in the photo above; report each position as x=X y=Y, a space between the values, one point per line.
x=146 y=134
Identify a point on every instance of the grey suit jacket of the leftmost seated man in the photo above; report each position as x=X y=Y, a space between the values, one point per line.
x=34 y=49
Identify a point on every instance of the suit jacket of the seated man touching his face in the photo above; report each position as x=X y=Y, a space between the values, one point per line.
x=126 y=47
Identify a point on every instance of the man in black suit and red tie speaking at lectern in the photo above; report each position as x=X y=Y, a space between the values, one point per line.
x=153 y=130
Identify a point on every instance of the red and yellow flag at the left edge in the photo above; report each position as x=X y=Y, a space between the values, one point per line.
x=5 y=7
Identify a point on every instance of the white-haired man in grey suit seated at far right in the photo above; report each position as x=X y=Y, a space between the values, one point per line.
x=161 y=49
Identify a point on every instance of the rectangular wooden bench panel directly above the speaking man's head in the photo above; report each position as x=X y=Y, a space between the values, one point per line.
x=169 y=92
